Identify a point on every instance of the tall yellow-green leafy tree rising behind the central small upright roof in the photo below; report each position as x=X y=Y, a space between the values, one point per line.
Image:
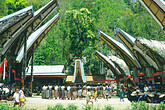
x=80 y=27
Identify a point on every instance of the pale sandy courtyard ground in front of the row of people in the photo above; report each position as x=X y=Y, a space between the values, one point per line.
x=37 y=103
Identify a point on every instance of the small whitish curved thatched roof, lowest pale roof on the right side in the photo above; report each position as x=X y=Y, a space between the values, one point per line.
x=121 y=64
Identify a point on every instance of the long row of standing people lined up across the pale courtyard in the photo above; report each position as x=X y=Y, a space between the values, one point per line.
x=74 y=92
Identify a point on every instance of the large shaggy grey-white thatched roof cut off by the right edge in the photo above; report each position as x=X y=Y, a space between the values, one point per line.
x=153 y=50
